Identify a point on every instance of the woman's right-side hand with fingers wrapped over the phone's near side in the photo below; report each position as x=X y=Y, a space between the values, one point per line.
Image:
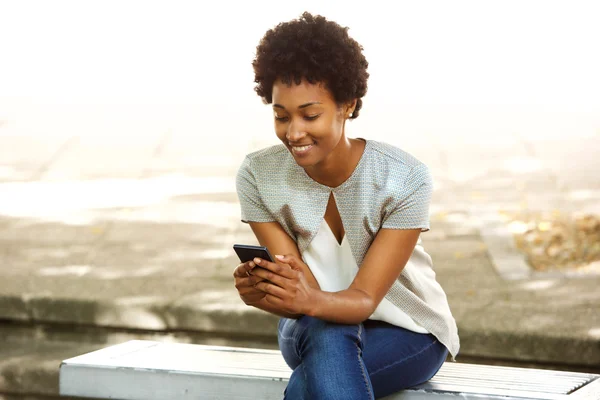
x=285 y=285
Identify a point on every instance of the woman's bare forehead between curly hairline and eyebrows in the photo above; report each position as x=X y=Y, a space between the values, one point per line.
x=291 y=96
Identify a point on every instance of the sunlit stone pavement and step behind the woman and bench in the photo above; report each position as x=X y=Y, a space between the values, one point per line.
x=105 y=239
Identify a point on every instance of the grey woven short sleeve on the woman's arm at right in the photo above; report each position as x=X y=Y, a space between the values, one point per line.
x=411 y=210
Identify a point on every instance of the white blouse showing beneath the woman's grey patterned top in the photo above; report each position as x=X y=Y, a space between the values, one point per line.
x=334 y=268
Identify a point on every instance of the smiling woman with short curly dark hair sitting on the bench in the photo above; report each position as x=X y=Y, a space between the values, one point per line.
x=362 y=315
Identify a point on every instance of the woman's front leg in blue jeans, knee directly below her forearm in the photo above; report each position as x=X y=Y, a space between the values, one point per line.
x=326 y=359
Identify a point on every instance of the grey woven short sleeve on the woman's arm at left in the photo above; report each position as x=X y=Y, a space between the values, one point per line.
x=252 y=207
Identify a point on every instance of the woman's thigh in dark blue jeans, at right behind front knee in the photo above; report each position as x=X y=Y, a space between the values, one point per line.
x=397 y=358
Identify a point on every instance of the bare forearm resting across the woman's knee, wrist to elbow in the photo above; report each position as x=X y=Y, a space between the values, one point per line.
x=350 y=306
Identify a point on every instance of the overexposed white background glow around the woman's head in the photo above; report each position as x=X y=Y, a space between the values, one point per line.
x=447 y=70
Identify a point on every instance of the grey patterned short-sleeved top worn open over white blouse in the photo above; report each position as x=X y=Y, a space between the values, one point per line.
x=389 y=188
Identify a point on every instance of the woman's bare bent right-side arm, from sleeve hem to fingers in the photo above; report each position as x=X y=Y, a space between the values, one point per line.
x=382 y=265
